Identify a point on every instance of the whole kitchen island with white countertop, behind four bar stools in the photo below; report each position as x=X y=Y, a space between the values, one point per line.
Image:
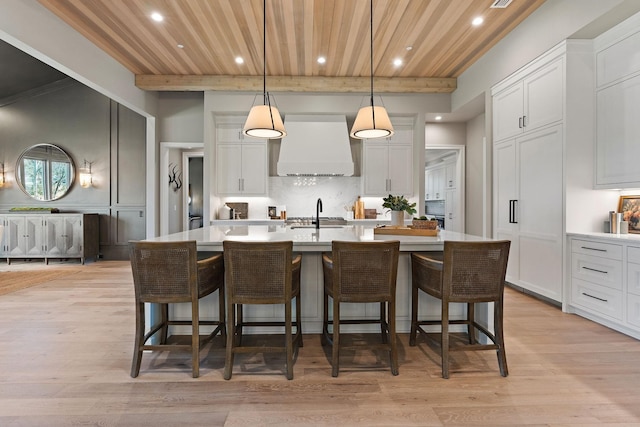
x=311 y=242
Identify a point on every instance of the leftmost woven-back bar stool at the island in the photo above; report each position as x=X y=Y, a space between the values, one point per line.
x=167 y=273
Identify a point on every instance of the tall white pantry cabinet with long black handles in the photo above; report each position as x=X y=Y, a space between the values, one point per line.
x=543 y=163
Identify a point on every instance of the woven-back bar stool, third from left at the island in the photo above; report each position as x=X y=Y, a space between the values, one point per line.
x=361 y=272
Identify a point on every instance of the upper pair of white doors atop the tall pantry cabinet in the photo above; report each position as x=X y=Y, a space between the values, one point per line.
x=529 y=103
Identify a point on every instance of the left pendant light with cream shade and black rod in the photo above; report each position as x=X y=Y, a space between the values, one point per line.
x=264 y=121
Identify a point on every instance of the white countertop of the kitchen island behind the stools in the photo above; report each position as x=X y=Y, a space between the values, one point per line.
x=307 y=239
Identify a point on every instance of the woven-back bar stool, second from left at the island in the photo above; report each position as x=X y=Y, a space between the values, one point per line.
x=262 y=273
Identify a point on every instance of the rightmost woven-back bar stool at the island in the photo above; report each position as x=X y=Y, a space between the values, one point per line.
x=467 y=272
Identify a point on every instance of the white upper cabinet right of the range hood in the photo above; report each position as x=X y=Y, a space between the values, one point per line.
x=388 y=164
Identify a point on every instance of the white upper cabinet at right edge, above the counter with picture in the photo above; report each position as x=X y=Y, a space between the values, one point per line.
x=618 y=107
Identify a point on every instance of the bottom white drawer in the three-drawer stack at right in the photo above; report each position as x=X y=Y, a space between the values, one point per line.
x=596 y=299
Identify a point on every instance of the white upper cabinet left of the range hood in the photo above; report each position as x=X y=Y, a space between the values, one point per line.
x=241 y=162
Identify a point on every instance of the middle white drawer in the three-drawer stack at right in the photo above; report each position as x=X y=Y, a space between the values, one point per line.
x=598 y=270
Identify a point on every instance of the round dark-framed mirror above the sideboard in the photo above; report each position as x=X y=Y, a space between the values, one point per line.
x=45 y=172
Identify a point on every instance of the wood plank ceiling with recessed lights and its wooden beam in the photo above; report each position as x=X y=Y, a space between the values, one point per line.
x=434 y=39
